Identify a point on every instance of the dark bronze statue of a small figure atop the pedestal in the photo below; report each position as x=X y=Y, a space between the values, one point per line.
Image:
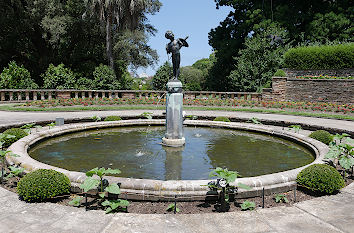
x=173 y=47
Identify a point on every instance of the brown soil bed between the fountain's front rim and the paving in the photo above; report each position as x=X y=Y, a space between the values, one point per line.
x=192 y=207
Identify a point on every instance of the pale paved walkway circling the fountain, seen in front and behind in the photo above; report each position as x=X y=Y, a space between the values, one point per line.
x=324 y=214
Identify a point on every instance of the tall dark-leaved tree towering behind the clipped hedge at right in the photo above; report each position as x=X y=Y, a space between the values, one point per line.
x=304 y=20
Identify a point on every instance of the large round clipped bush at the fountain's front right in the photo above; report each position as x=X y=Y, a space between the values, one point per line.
x=321 y=177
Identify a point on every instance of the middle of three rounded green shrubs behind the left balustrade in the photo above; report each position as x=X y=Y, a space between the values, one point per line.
x=59 y=77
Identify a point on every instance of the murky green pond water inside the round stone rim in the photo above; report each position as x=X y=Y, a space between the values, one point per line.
x=137 y=152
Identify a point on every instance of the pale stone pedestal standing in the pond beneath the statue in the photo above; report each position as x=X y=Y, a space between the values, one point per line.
x=174 y=118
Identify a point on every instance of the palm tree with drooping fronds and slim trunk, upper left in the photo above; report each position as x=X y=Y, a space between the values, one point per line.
x=121 y=15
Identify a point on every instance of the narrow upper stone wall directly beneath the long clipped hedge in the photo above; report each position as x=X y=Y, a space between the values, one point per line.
x=336 y=73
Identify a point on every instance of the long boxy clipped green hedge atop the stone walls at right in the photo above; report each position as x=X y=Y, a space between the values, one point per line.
x=320 y=57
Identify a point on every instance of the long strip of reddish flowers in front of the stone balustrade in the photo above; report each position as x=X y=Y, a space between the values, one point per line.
x=236 y=103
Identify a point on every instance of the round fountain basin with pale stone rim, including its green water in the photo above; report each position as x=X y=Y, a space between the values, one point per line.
x=161 y=173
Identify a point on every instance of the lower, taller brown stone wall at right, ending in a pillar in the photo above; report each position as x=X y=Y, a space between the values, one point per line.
x=310 y=90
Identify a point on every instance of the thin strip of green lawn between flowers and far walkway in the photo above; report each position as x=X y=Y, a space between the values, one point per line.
x=18 y=107
